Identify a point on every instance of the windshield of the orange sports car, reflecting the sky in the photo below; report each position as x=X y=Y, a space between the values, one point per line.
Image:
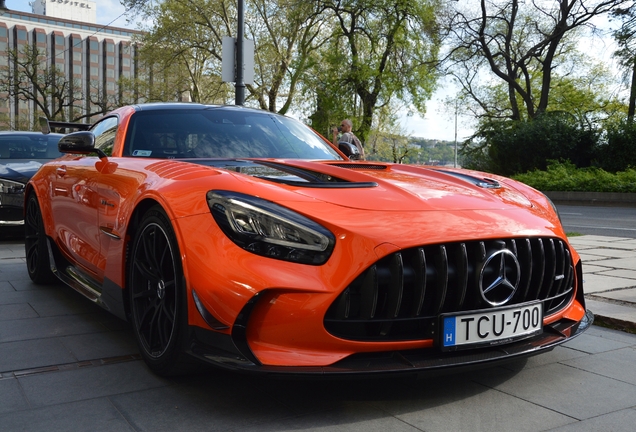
x=222 y=133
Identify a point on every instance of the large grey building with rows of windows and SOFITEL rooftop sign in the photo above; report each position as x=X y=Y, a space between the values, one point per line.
x=93 y=59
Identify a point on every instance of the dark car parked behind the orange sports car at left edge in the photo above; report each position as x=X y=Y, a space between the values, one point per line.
x=21 y=155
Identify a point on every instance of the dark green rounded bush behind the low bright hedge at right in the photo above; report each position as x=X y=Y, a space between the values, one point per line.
x=511 y=147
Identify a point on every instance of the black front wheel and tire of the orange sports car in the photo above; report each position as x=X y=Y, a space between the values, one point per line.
x=157 y=294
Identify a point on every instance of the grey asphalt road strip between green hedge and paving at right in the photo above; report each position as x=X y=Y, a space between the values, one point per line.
x=604 y=221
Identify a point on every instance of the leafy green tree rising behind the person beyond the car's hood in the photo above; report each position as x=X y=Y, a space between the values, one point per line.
x=380 y=50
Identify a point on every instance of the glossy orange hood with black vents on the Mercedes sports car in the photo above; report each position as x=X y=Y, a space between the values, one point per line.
x=368 y=198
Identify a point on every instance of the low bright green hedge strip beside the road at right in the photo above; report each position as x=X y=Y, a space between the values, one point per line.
x=567 y=177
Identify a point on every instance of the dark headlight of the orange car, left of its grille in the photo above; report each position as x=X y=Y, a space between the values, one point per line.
x=270 y=230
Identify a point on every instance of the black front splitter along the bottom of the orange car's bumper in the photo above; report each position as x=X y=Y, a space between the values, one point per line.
x=221 y=350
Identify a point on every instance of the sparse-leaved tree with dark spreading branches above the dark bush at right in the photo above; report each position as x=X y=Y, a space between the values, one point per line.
x=517 y=43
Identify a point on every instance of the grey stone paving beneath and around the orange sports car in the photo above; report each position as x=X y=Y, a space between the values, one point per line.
x=67 y=365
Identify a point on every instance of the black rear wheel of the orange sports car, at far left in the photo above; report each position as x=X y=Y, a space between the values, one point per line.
x=36 y=250
